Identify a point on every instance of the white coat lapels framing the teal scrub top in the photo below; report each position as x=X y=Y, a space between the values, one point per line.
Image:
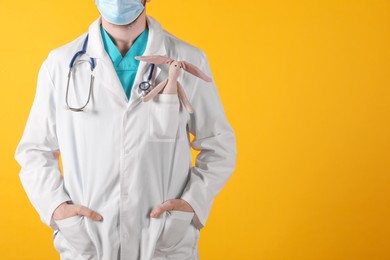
x=105 y=73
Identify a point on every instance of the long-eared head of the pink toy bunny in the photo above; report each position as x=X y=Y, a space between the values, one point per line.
x=175 y=66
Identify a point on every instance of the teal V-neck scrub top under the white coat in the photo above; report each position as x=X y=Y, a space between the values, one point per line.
x=126 y=66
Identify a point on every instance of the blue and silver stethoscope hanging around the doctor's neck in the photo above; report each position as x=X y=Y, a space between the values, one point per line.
x=144 y=86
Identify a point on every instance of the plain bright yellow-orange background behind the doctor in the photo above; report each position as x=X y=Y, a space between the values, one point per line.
x=305 y=85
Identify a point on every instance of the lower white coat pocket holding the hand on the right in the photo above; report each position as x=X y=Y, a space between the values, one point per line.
x=175 y=227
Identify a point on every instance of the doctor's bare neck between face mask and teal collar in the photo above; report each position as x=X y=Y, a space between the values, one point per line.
x=124 y=35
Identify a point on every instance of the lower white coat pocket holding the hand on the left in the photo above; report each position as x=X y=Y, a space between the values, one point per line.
x=74 y=232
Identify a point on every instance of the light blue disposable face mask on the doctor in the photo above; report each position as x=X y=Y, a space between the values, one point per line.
x=120 y=12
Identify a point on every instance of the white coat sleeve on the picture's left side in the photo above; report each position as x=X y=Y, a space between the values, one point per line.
x=36 y=152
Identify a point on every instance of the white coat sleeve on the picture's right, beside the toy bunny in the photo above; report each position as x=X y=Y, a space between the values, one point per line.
x=216 y=141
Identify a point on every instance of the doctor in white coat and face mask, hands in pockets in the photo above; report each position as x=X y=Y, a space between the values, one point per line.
x=128 y=189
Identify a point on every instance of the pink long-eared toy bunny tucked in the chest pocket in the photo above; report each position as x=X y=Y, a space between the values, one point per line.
x=171 y=85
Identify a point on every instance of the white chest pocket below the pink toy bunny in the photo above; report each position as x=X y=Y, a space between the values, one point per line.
x=164 y=117
